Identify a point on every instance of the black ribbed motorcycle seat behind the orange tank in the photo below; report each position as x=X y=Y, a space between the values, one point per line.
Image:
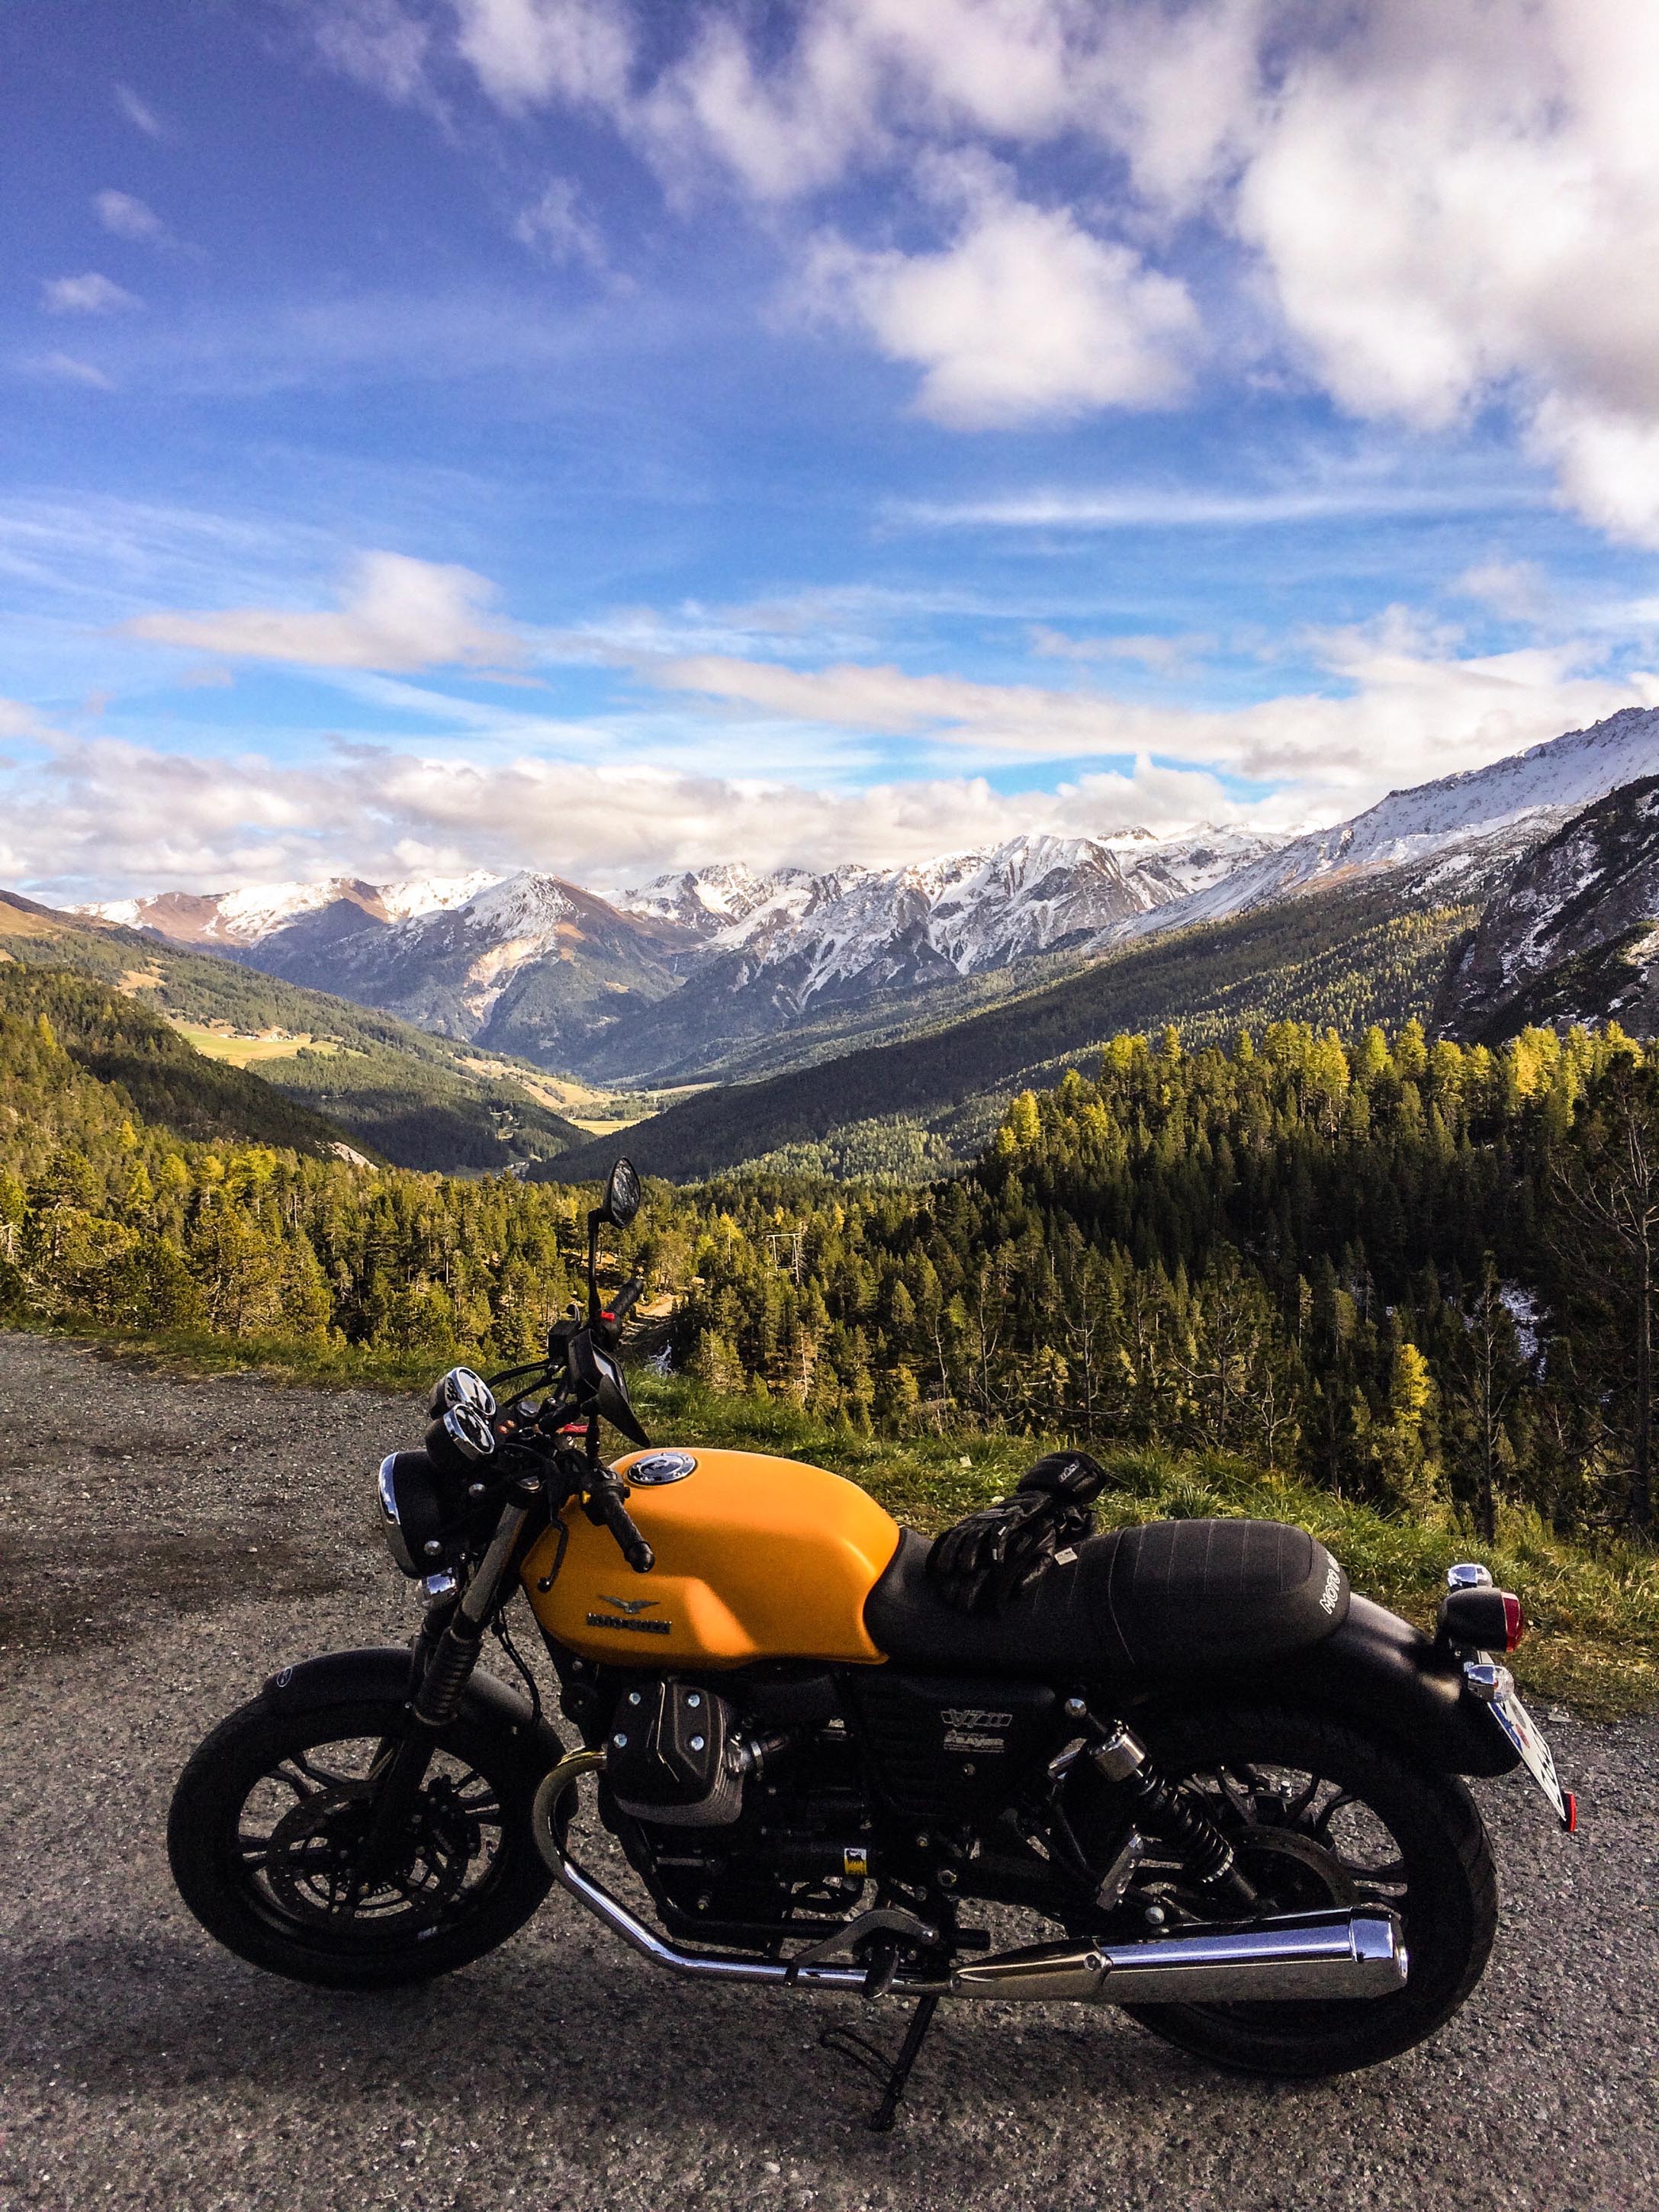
x=1156 y=1600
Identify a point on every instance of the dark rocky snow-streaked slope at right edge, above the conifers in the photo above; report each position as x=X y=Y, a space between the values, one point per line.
x=1574 y=937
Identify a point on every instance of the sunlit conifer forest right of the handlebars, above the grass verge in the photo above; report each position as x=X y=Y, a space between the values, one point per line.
x=1417 y=1275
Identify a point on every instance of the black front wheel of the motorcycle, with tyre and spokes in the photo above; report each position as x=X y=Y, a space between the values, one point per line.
x=267 y=1844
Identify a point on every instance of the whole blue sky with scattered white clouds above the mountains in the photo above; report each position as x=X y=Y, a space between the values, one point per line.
x=554 y=432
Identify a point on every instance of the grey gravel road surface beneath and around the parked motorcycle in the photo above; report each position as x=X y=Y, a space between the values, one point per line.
x=169 y=1543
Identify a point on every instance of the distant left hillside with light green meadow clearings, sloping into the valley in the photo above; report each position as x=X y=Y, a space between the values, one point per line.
x=390 y=1089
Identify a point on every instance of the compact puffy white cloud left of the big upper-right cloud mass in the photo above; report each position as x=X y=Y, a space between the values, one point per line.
x=1025 y=317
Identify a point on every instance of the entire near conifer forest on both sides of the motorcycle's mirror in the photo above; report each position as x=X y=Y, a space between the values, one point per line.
x=1410 y=1273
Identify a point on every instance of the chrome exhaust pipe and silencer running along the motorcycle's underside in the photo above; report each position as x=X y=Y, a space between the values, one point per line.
x=1331 y=1954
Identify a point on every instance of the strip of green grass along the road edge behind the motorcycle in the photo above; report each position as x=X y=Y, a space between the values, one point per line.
x=1594 y=1609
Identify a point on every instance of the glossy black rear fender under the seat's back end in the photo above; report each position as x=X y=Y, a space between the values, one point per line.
x=1386 y=1676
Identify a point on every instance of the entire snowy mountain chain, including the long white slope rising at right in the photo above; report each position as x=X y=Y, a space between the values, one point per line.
x=693 y=972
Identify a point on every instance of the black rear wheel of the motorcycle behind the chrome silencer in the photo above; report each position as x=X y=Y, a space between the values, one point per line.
x=1379 y=1830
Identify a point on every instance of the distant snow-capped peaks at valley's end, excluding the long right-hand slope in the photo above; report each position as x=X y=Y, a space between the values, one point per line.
x=678 y=970
